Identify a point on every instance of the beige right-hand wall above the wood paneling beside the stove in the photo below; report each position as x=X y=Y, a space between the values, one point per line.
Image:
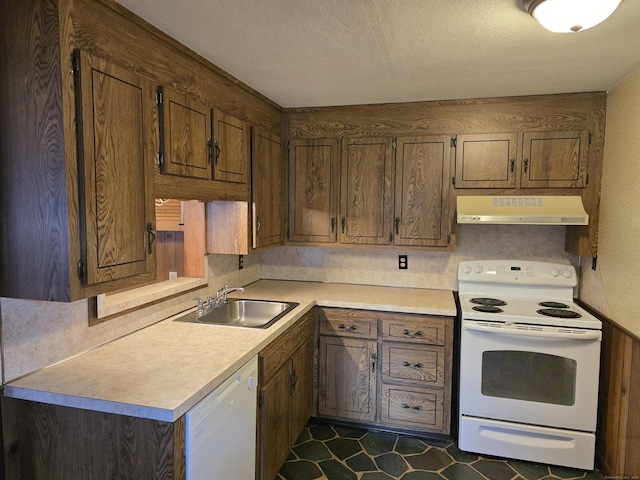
x=614 y=284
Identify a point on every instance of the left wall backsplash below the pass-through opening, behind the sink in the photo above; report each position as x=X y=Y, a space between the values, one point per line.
x=36 y=334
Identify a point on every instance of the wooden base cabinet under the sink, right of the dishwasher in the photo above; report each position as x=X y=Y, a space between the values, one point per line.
x=286 y=393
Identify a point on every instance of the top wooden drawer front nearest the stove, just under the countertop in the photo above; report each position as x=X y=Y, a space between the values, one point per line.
x=415 y=329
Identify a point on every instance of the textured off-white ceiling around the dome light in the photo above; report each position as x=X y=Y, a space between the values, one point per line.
x=343 y=52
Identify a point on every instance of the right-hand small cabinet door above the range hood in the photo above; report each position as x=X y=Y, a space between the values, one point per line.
x=554 y=159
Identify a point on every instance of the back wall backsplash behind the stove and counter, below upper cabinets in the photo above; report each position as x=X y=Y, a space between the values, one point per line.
x=426 y=269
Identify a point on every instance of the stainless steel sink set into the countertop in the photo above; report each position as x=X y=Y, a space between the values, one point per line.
x=242 y=313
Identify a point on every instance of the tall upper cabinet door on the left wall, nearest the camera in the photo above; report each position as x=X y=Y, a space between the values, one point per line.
x=117 y=207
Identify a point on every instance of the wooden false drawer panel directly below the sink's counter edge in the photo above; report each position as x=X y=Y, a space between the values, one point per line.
x=272 y=357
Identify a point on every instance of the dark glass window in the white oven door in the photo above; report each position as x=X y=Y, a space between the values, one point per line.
x=532 y=376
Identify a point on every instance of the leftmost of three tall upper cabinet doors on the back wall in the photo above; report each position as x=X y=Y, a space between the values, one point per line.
x=313 y=190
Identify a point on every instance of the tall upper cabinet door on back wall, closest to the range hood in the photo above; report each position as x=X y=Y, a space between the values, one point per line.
x=422 y=190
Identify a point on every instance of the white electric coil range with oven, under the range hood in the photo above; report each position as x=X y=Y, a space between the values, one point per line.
x=529 y=363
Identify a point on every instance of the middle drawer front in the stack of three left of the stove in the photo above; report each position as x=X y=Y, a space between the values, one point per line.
x=416 y=364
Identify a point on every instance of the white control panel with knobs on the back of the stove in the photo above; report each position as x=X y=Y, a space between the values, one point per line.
x=517 y=272
